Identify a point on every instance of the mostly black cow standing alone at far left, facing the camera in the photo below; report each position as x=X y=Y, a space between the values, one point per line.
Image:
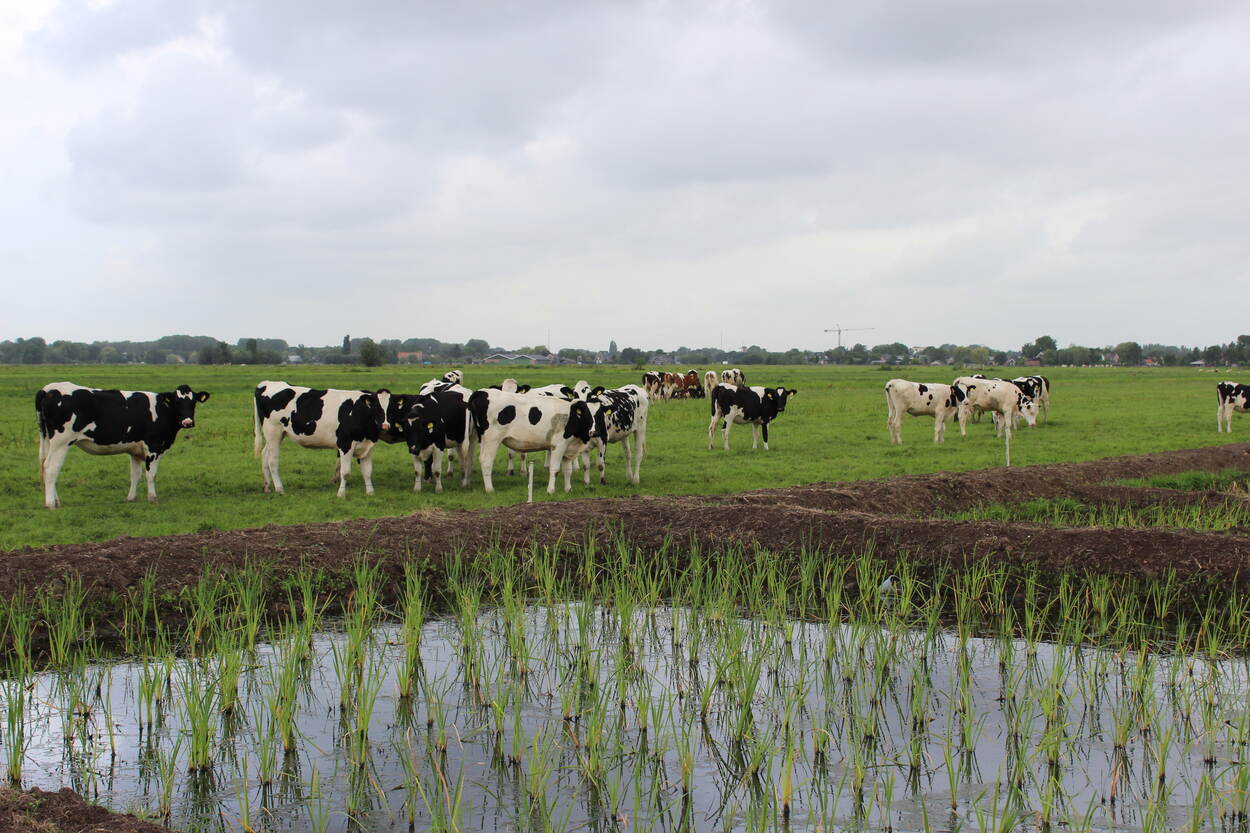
x=139 y=423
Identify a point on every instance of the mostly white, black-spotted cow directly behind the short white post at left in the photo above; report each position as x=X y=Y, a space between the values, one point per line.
x=531 y=423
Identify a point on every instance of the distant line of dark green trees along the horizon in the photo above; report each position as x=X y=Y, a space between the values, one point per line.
x=203 y=350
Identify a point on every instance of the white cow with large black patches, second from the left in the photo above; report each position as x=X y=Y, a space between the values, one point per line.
x=351 y=422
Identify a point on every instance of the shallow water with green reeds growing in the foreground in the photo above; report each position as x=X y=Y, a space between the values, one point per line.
x=848 y=690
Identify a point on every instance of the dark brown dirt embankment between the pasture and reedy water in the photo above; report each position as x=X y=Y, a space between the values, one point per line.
x=889 y=515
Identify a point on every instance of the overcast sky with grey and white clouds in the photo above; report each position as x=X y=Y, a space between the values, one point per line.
x=659 y=174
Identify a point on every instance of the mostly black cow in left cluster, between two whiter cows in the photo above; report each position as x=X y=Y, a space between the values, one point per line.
x=434 y=423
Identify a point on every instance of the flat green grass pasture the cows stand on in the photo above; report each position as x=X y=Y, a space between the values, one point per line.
x=833 y=431
